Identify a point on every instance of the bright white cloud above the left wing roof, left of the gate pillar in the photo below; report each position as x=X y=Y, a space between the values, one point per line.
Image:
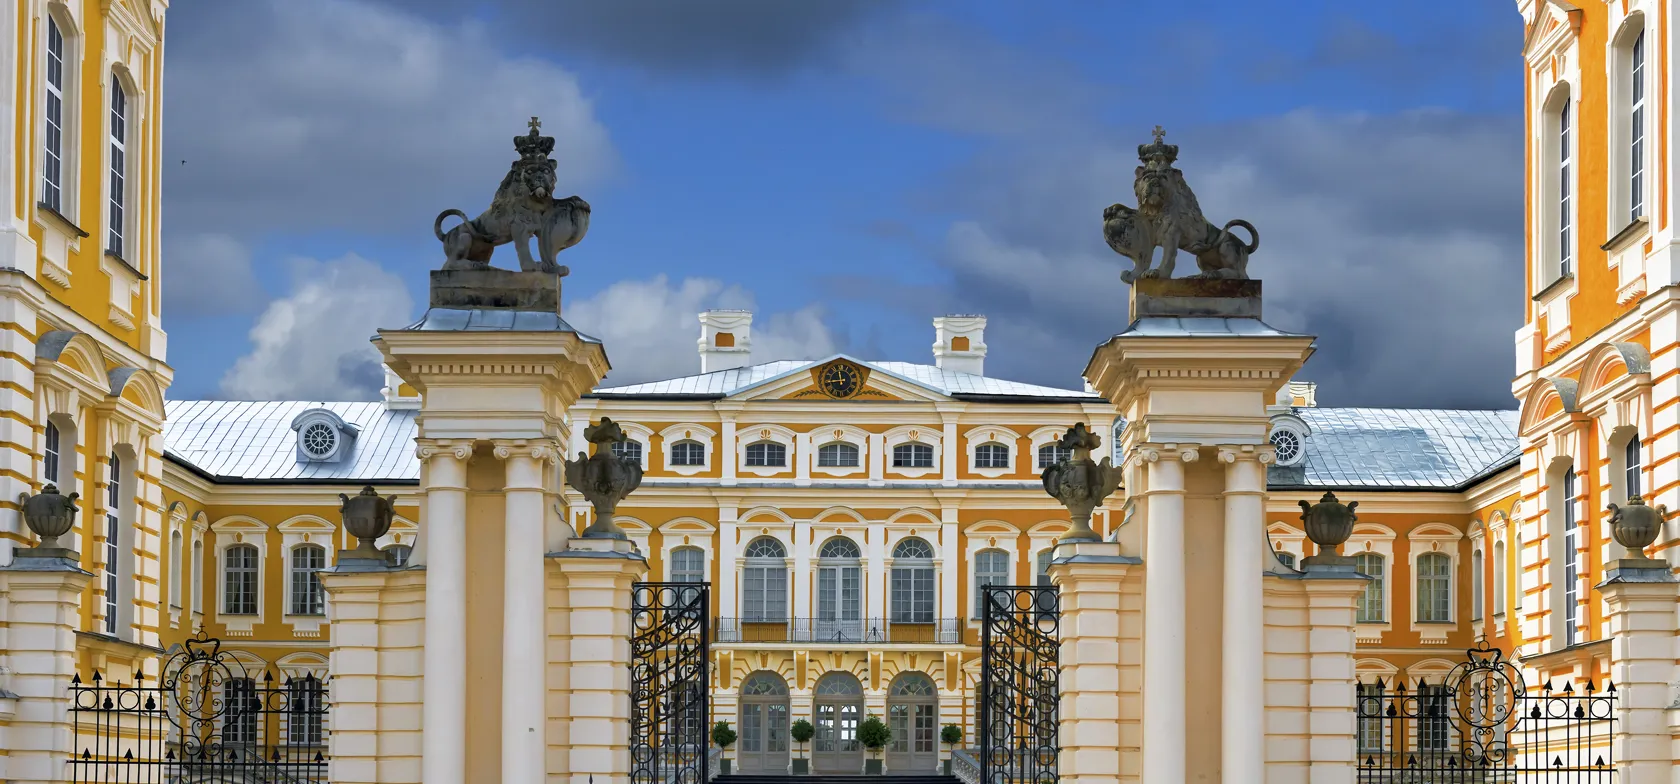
x=313 y=343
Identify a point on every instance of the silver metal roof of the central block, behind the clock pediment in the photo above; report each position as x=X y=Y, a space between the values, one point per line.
x=935 y=379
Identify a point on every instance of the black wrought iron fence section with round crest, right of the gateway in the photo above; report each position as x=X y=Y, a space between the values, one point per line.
x=1483 y=724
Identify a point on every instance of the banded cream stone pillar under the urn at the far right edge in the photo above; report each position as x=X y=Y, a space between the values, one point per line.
x=1641 y=598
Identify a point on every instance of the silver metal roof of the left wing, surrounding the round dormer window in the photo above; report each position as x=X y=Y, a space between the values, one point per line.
x=255 y=441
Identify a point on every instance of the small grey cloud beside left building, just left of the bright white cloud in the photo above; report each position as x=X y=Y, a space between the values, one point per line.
x=209 y=274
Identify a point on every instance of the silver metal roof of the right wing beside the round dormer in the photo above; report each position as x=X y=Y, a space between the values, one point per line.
x=1400 y=447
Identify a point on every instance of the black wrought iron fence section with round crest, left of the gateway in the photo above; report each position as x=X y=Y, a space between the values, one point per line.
x=206 y=718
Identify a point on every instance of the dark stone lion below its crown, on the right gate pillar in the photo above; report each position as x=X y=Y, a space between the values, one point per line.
x=1170 y=219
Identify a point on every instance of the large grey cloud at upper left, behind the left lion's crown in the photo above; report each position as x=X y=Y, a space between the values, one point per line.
x=347 y=115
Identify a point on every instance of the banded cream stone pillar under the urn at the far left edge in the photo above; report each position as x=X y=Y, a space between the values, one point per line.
x=41 y=605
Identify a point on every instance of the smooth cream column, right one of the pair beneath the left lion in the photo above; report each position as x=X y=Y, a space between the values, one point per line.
x=523 y=612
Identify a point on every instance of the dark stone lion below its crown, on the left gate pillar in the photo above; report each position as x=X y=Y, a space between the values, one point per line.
x=520 y=212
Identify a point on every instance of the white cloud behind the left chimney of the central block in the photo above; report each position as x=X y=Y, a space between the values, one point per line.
x=651 y=327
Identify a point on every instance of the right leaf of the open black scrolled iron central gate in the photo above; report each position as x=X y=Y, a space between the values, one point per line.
x=1021 y=686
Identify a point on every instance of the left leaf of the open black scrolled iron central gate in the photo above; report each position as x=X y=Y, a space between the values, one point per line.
x=669 y=682
